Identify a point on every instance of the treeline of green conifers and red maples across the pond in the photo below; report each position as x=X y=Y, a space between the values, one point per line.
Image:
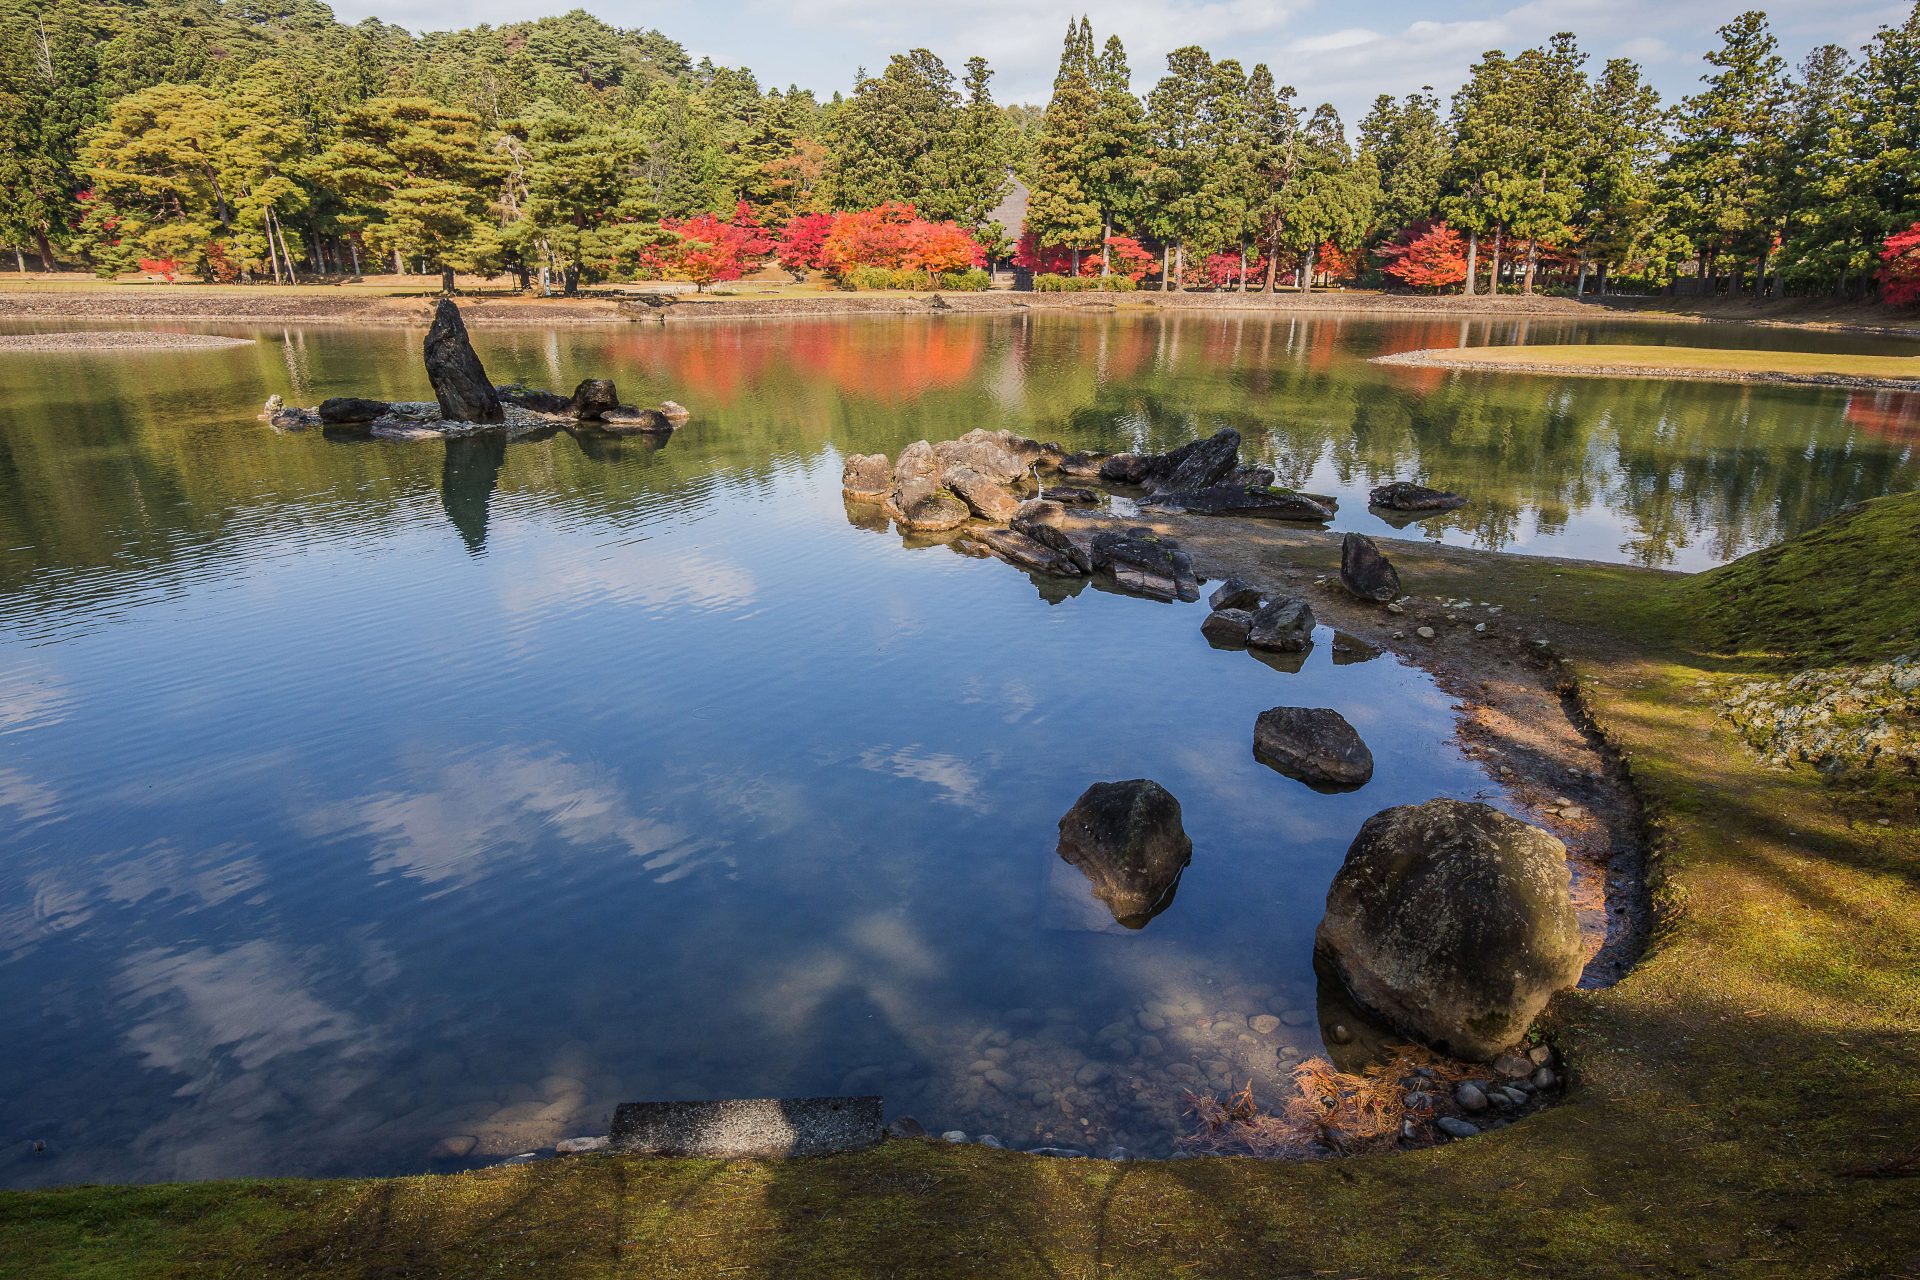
x=266 y=141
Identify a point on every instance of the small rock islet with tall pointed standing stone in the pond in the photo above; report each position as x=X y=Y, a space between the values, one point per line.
x=466 y=402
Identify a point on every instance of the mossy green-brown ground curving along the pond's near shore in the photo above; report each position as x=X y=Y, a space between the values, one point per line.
x=1744 y=1104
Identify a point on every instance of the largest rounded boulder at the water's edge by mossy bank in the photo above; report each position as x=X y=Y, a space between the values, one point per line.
x=1452 y=922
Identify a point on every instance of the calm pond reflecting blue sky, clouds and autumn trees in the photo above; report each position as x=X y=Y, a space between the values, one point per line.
x=373 y=807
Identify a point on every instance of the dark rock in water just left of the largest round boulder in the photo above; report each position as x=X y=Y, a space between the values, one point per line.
x=1130 y=845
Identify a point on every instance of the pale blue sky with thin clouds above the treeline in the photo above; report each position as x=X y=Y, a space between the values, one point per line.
x=1330 y=51
